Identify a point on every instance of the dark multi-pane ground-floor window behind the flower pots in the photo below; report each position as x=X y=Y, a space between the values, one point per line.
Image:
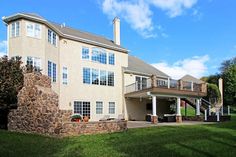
x=82 y=108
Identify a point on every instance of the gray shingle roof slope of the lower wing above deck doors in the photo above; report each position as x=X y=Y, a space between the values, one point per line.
x=138 y=66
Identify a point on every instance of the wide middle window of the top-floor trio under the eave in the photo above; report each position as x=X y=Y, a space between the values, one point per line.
x=99 y=55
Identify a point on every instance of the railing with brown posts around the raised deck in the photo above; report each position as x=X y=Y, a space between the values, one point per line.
x=158 y=82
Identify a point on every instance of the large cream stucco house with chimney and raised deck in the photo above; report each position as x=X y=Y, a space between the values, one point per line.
x=94 y=76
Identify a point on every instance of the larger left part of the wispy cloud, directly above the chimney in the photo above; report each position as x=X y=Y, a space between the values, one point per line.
x=137 y=14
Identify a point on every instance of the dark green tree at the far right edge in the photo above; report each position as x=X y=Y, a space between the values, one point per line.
x=229 y=77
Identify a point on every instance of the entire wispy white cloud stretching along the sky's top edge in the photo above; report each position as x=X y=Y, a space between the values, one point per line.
x=139 y=15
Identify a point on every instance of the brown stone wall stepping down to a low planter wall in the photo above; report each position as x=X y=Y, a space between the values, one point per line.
x=38 y=112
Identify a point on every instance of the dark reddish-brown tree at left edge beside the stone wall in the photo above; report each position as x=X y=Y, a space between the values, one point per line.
x=11 y=81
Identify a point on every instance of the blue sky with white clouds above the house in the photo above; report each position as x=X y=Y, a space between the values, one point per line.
x=176 y=36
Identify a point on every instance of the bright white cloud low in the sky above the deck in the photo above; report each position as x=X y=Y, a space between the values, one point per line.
x=195 y=66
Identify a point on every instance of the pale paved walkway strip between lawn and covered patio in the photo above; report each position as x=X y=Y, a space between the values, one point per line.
x=144 y=124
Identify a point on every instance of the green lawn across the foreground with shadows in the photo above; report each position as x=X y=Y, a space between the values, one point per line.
x=198 y=140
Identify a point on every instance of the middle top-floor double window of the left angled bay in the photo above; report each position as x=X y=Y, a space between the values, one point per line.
x=33 y=29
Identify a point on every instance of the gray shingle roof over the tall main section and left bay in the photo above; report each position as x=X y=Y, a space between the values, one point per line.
x=70 y=33
